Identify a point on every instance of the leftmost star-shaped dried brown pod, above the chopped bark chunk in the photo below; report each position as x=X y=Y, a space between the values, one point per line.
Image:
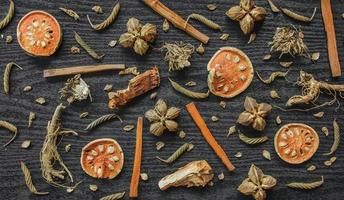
x=138 y=37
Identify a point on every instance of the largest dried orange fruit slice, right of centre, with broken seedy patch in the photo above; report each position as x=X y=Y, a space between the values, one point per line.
x=230 y=72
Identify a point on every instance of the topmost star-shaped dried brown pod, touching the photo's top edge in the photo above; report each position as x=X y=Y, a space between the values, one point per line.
x=246 y=14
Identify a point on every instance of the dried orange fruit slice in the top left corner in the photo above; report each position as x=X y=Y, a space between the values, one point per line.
x=39 y=33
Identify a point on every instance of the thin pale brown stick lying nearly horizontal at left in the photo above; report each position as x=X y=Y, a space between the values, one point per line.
x=80 y=70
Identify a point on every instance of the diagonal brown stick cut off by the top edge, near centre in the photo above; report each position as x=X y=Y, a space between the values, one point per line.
x=176 y=20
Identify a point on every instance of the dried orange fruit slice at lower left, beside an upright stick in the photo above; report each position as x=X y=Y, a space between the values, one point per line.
x=102 y=158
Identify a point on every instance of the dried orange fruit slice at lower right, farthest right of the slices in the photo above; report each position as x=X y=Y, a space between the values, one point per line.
x=296 y=143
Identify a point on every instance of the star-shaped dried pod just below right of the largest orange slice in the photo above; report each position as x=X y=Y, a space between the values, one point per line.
x=254 y=114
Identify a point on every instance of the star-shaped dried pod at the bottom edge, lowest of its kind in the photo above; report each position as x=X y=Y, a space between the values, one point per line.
x=256 y=183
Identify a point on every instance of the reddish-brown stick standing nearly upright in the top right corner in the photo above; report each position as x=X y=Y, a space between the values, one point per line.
x=331 y=37
